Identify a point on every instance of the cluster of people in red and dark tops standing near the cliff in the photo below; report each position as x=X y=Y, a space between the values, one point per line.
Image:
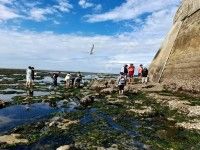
x=127 y=74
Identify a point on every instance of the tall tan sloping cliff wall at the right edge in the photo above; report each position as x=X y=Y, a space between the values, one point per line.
x=177 y=62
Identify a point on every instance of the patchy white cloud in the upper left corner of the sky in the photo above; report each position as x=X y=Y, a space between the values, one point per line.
x=11 y=9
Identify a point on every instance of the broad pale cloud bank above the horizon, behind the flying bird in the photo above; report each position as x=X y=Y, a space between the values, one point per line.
x=71 y=52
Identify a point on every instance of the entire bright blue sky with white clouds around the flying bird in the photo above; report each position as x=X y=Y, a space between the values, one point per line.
x=58 y=34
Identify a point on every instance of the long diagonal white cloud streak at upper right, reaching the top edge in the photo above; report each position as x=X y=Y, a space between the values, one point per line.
x=131 y=9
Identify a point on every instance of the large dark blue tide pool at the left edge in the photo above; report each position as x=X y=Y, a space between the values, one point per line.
x=13 y=116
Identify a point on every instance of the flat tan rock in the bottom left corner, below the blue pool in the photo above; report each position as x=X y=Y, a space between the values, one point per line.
x=12 y=139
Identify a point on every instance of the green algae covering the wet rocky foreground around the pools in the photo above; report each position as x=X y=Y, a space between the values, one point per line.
x=155 y=129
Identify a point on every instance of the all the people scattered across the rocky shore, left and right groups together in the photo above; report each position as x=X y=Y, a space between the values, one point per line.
x=127 y=73
